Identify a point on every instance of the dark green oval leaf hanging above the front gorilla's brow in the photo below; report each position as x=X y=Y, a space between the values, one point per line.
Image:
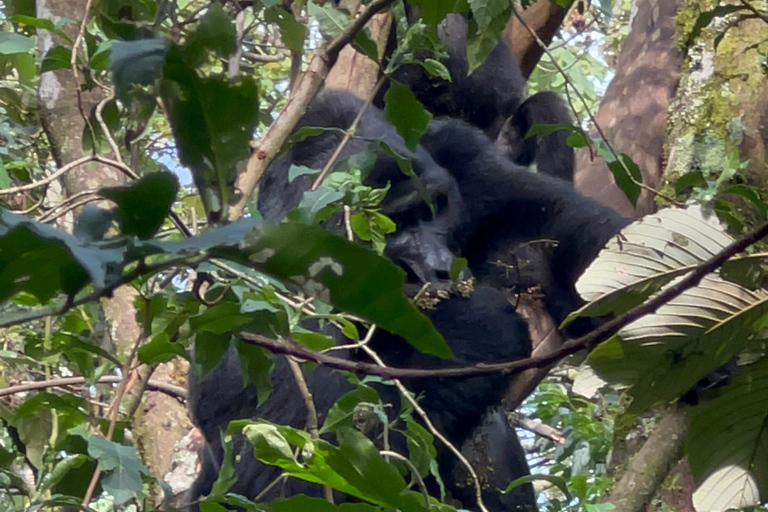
x=406 y=113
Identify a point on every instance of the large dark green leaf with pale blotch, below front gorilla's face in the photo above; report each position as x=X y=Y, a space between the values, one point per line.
x=357 y=279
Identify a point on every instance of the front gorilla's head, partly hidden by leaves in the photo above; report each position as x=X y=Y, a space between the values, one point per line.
x=426 y=206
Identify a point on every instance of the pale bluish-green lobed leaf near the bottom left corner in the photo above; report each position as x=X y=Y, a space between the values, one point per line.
x=124 y=468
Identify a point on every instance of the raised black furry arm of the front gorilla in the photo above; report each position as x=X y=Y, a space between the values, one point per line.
x=510 y=206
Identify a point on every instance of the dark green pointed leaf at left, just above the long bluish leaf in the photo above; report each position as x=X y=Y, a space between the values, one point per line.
x=143 y=205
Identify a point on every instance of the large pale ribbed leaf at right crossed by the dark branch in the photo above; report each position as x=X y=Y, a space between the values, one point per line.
x=664 y=354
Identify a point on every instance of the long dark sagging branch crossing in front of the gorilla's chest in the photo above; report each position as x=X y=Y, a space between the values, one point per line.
x=587 y=342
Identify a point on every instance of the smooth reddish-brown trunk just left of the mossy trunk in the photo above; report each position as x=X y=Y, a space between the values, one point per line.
x=633 y=113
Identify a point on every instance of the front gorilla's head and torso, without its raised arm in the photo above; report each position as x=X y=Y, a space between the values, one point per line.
x=483 y=327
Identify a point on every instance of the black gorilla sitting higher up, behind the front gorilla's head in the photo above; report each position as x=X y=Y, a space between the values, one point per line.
x=492 y=99
